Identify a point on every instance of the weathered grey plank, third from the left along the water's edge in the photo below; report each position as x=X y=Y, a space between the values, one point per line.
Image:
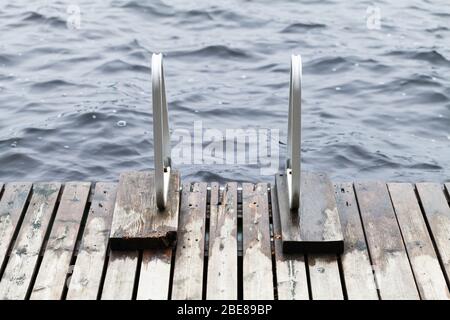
x=51 y=279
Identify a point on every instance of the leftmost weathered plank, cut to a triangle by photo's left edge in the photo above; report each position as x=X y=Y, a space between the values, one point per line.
x=12 y=206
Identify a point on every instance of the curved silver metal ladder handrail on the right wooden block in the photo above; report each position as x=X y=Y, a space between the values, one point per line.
x=294 y=133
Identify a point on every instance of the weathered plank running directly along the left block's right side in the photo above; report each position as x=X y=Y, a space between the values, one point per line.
x=189 y=256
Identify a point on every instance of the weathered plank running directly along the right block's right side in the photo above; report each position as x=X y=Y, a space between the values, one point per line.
x=356 y=265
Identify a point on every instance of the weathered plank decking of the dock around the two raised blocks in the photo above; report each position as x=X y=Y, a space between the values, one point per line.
x=54 y=245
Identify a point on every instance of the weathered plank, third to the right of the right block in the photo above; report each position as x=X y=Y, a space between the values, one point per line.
x=424 y=261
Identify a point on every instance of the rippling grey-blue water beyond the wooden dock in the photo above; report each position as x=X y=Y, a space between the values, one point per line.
x=75 y=103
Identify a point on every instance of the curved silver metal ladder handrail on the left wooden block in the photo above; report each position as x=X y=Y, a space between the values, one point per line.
x=161 y=134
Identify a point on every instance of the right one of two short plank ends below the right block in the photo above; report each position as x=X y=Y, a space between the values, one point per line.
x=324 y=277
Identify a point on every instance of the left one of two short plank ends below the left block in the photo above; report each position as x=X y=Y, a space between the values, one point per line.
x=120 y=275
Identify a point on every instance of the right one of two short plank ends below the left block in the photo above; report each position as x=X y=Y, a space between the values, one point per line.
x=154 y=278
